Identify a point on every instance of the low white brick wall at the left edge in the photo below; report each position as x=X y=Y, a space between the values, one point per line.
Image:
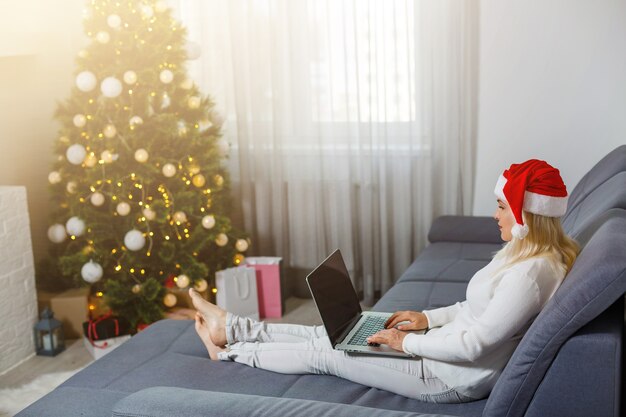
x=18 y=298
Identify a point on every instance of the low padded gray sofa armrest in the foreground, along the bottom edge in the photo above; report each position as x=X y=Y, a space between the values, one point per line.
x=170 y=401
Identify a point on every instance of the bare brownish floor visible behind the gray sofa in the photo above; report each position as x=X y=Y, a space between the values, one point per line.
x=297 y=310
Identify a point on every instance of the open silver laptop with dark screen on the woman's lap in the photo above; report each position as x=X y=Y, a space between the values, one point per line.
x=347 y=326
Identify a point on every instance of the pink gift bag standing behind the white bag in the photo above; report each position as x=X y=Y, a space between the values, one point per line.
x=268 y=285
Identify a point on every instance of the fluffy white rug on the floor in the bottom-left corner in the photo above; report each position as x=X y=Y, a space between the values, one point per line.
x=13 y=400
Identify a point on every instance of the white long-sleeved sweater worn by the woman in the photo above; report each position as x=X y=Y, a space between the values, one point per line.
x=469 y=343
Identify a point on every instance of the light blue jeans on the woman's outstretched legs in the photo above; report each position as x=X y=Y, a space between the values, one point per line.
x=297 y=349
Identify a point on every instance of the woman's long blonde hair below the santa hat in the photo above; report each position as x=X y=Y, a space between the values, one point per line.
x=545 y=238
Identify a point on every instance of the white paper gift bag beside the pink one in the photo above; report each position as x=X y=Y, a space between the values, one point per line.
x=237 y=292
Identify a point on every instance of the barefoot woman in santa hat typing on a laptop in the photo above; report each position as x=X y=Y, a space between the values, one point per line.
x=467 y=344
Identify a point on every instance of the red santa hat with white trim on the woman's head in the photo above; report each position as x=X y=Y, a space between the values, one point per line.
x=534 y=186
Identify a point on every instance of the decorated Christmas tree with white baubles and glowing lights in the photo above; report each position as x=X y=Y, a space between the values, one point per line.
x=140 y=189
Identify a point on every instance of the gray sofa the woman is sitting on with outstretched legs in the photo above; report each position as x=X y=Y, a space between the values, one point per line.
x=568 y=364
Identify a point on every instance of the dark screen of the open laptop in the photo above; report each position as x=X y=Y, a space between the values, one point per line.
x=334 y=295
